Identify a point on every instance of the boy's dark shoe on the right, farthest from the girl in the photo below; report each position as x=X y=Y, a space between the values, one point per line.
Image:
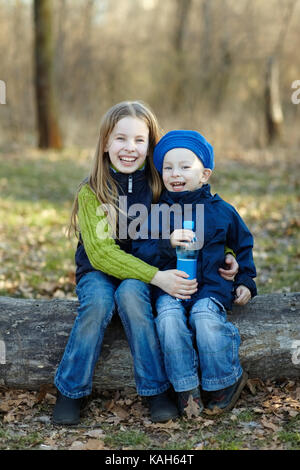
x=225 y=399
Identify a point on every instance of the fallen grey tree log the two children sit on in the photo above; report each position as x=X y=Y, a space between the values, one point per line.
x=33 y=335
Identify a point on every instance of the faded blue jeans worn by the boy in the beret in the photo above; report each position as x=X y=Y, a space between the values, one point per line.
x=197 y=335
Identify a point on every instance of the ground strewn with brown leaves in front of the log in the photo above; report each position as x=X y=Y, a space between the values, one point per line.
x=264 y=412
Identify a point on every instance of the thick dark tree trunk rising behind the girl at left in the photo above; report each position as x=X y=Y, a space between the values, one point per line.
x=48 y=130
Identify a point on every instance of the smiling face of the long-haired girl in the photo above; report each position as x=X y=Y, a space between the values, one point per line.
x=128 y=144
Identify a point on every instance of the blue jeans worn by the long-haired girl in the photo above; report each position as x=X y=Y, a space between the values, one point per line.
x=98 y=294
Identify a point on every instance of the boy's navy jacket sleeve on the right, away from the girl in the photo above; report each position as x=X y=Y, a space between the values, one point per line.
x=241 y=241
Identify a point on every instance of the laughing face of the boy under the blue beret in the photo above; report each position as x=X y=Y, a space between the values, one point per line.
x=183 y=171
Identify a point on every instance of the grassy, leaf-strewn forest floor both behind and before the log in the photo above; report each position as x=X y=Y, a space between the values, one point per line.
x=36 y=194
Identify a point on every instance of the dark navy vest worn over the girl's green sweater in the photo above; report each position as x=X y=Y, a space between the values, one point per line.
x=136 y=187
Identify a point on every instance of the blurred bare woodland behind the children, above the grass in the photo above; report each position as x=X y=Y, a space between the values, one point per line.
x=197 y=63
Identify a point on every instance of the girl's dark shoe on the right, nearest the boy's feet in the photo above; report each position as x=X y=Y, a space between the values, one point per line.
x=162 y=408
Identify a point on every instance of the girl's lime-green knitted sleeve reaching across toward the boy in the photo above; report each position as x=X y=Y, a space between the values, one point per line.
x=103 y=252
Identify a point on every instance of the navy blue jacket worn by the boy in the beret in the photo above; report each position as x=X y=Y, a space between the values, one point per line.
x=222 y=227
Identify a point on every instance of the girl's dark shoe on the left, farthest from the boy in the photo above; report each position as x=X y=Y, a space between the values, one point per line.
x=67 y=410
